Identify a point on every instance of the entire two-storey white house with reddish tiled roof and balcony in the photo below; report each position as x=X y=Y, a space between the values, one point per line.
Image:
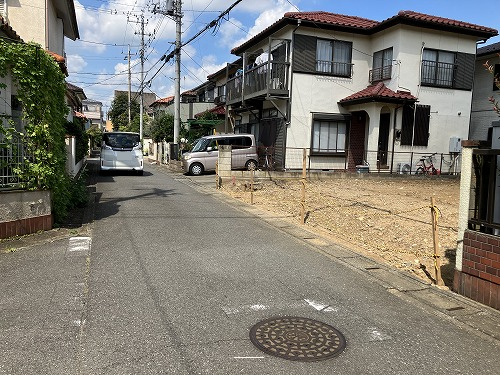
x=349 y=89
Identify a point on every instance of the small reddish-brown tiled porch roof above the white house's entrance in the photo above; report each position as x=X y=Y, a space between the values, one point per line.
x=378 y=93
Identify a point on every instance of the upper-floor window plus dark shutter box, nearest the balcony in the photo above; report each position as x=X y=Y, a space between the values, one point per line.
x=329 y=57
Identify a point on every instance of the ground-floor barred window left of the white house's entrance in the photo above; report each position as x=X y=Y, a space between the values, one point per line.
x=329 y=136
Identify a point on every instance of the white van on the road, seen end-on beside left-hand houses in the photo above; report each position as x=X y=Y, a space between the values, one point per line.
x=121 y=151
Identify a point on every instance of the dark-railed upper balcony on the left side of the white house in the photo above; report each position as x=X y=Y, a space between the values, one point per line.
x=264 y=80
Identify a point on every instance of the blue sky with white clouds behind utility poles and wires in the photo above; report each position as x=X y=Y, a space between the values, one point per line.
x=98 y=61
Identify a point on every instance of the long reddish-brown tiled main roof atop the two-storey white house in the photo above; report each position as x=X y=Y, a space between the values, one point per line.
x=326 y=20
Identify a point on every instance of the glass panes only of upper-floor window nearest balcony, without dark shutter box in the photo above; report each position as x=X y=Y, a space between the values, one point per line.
x=333 y=57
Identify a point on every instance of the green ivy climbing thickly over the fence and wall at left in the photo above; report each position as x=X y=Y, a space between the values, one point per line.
x=40 y=87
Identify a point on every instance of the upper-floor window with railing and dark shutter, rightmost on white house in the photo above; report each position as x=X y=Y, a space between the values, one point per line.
x=447 y=69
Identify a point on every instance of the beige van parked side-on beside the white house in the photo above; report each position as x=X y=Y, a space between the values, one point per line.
x=204 y=155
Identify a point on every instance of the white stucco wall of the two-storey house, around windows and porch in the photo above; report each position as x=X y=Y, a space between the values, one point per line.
x=450 y=108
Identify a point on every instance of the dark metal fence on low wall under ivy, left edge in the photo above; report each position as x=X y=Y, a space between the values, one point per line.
x=13 y=157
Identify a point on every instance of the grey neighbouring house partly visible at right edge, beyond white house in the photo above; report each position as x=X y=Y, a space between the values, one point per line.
x=484 y=87
